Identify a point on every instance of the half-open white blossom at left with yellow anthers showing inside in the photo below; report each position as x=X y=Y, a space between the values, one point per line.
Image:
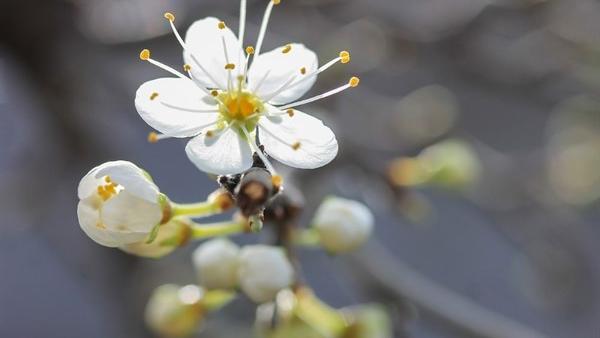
x=118 y=204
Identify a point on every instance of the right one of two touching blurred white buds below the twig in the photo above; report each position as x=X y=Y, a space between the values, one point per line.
x=264 y=271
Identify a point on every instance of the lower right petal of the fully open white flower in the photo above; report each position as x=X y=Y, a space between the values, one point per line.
x=317 y=145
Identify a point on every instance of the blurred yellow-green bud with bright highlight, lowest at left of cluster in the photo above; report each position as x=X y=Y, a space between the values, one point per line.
x=175 y=311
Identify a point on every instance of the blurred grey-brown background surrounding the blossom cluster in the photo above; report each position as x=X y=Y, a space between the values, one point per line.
x=500 y=97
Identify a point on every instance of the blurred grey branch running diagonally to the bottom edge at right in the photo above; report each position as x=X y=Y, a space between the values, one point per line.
x=404 y=282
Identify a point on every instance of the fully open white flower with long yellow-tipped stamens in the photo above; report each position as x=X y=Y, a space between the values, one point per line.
x=226 y=102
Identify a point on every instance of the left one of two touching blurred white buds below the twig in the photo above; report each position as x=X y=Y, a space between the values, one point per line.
x=216 y=263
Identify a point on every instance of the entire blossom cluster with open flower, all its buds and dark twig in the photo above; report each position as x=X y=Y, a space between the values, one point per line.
x=239 y=107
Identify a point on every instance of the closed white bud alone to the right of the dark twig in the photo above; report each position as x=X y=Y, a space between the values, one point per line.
x=342 y=224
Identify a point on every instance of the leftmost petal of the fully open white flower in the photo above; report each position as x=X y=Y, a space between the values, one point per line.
x=160 y=111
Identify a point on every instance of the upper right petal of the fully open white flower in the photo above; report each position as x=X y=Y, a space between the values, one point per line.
x=281 y=67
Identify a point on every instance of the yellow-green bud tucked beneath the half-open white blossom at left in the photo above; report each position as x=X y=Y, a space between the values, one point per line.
x=170 y=236
